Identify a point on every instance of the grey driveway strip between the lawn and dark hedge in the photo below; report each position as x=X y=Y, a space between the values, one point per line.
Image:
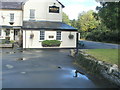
x=98 y=45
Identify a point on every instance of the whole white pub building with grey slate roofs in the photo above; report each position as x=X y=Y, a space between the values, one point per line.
x=36 y=22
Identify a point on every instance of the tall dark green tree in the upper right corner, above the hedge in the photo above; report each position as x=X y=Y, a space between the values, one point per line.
x=109 y=14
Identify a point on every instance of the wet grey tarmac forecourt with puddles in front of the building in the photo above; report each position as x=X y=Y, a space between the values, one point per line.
x=45 y=69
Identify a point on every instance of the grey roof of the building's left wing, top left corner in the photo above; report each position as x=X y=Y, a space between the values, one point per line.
x=11 y=5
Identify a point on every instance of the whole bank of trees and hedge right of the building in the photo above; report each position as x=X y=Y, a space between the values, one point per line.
x=102 y=26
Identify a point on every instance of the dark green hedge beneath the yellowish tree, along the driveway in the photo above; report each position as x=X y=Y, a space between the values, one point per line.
x=103 y=34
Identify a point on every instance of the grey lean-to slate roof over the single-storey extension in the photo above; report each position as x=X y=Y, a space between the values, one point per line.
x=38 y=25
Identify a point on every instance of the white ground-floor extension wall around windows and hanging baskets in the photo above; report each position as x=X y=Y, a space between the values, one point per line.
x=36 y=43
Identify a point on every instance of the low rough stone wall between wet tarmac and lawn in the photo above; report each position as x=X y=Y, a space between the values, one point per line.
x=108 y=71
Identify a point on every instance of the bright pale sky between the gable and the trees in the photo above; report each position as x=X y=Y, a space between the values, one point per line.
x=74 y=7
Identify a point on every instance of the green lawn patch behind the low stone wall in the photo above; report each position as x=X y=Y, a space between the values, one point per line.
x=107 y=55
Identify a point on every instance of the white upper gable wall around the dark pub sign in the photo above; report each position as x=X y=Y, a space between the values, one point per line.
x=42 y=10
